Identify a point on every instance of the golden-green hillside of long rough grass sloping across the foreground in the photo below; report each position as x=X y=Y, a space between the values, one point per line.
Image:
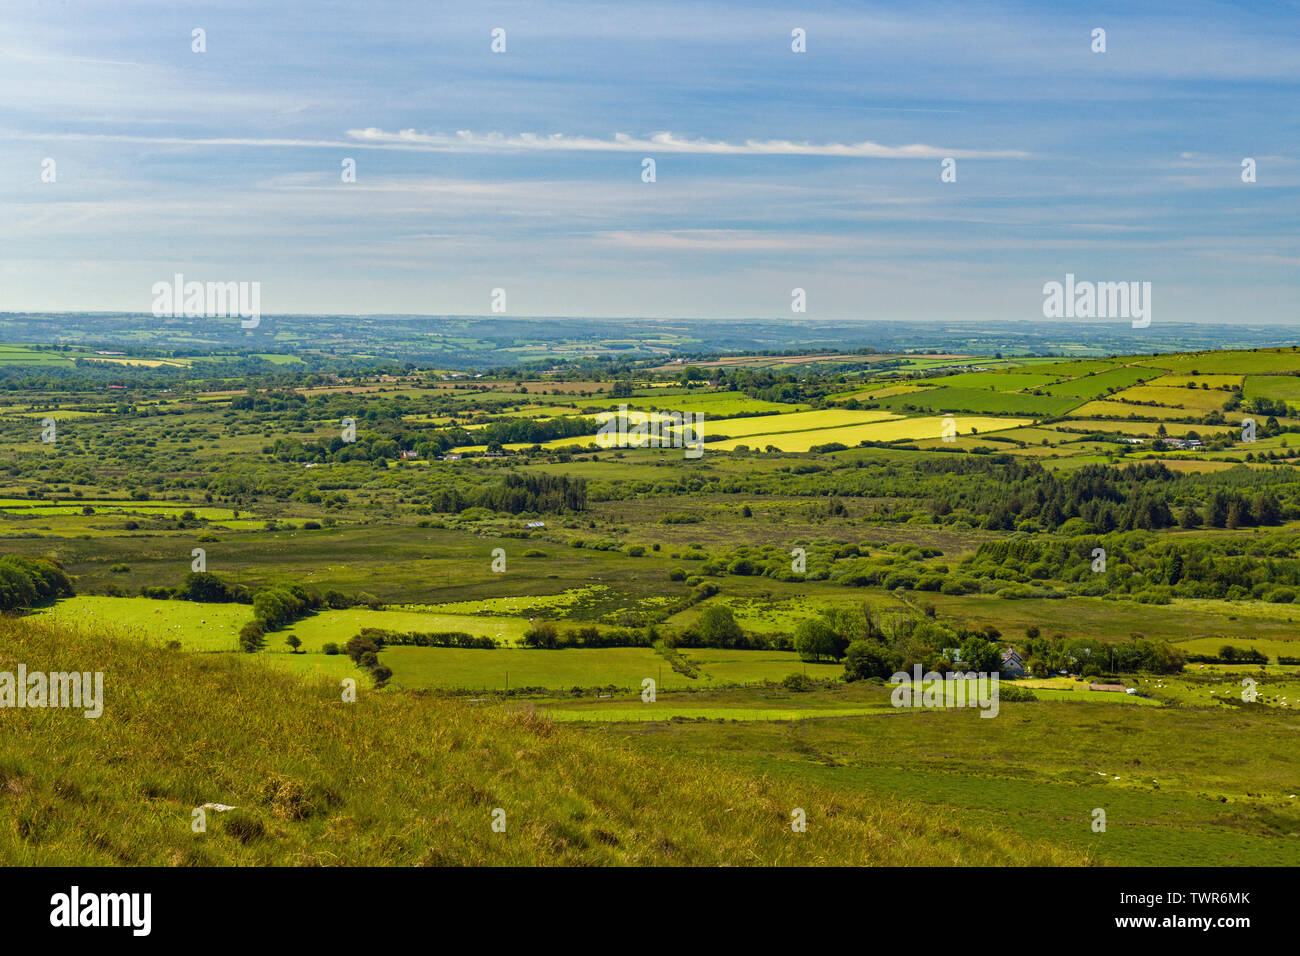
x=395 y=780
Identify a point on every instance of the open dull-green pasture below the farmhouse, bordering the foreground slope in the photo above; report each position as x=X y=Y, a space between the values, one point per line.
x=1160 y=775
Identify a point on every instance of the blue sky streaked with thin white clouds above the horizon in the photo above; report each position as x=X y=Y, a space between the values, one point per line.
x=774 y=170
